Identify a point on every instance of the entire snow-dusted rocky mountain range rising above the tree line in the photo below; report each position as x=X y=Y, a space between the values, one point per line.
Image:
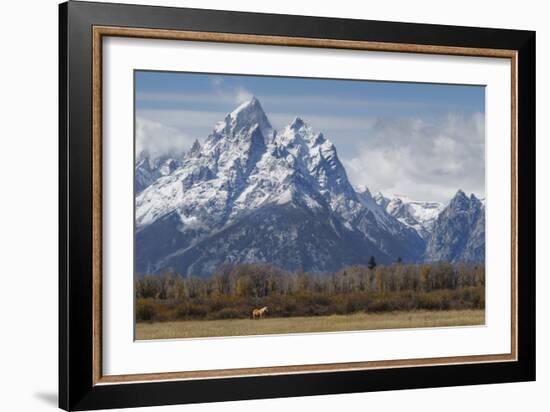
x=251 y=193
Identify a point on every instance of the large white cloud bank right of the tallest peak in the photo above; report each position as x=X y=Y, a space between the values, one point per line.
x=423 y=160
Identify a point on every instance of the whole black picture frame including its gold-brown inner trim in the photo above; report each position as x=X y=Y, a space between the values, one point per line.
x=82 y=385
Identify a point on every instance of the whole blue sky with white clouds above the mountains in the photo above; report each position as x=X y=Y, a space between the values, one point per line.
x=421 y=140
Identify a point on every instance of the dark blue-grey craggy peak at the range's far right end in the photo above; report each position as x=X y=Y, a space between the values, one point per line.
x=459 y=231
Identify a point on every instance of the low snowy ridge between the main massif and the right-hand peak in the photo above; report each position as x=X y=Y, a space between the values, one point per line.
x=419 y=215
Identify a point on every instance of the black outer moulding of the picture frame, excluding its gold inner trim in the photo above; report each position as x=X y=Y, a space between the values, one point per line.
x=76 y=388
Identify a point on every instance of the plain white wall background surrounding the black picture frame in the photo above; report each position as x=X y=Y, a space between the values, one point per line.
x=28 y=206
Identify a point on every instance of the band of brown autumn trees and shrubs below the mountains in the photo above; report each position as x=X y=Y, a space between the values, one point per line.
x=232 y=291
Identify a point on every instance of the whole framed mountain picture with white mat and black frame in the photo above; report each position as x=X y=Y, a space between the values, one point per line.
x=257 y=205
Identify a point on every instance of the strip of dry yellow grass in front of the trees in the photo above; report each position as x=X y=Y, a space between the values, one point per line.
x=357 y=321
